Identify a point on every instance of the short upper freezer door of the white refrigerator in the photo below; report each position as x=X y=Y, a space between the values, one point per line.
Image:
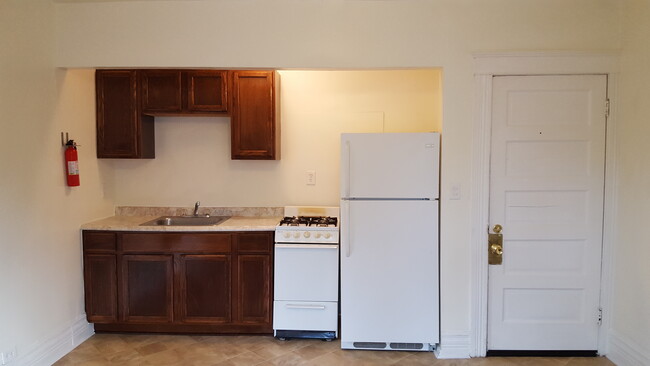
x=390 y=165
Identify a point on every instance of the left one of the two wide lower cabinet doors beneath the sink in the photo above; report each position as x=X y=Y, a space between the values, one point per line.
x=146 y=291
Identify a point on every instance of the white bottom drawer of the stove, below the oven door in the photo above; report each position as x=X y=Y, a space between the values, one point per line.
x=305 y=315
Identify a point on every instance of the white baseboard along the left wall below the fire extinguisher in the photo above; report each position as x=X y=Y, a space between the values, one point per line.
x=61 y=343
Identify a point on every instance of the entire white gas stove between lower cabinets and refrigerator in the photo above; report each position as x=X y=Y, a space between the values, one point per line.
x=305 y=301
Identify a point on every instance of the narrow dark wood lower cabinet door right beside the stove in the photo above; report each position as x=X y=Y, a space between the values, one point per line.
x=254 y=289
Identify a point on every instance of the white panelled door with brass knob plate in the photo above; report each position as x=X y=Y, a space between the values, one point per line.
x=546 y=190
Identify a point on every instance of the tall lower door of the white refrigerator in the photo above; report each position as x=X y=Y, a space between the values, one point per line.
x=389 y=275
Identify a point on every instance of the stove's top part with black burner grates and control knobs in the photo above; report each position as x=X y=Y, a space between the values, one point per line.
x=315 y=225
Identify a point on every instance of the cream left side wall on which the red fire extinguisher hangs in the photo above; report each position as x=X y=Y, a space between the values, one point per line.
x=40 y=253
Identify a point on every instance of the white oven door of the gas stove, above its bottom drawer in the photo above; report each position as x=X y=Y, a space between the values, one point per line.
x=306 y=272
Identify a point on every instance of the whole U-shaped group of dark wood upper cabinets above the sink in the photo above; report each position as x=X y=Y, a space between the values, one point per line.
x=128 y=100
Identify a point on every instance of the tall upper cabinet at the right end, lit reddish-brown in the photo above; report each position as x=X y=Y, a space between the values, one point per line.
x=253 y=125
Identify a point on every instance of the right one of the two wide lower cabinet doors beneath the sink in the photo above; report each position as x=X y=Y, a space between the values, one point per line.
x=204 y=289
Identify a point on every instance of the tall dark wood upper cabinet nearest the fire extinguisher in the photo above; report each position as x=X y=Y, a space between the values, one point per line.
x=122 y=131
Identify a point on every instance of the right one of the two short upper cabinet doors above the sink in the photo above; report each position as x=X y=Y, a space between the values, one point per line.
x=206 y=91
